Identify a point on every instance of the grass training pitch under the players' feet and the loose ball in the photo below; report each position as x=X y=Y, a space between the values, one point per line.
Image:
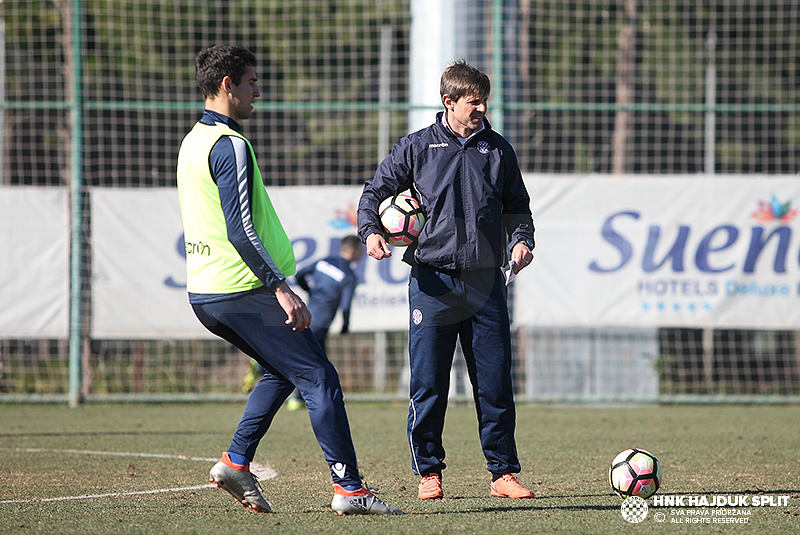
x=60 y=475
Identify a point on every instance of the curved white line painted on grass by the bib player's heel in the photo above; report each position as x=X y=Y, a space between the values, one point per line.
x=263 y=472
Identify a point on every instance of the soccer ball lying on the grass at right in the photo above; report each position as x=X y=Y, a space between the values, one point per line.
x=635 y=472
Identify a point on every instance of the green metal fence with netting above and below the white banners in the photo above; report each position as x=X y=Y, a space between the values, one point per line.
x=99 y=93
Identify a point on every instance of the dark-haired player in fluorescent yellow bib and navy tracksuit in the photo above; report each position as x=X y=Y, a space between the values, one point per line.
x=238 y=258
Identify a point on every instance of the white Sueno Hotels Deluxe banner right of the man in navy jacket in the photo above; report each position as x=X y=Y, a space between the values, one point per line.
x=683 y=251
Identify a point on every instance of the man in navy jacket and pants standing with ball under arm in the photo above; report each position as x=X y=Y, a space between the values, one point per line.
x=467 y=178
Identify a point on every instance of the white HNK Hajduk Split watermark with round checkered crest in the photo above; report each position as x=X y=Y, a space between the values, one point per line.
x=698 y=509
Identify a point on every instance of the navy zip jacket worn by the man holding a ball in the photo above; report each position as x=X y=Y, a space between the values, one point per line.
x=473 y=196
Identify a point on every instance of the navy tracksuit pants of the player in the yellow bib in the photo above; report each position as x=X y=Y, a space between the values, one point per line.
x=254 y=322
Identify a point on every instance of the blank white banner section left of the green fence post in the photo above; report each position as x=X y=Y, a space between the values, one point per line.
x=34 y=270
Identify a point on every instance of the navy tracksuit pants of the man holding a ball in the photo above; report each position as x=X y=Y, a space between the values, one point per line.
x=469 y=306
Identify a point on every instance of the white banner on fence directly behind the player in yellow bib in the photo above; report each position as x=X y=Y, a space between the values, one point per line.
x=139 y=261
